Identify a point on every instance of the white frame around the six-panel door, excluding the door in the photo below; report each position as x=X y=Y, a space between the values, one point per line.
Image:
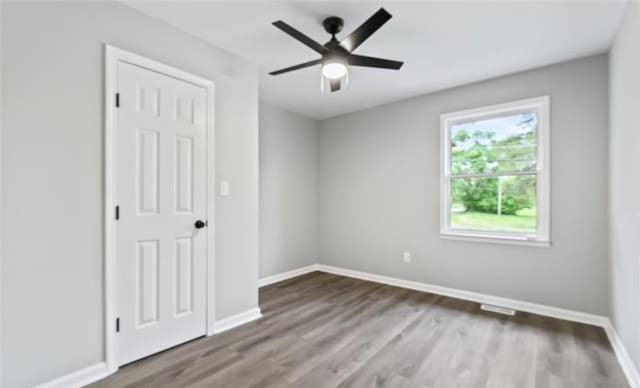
x=113 y=55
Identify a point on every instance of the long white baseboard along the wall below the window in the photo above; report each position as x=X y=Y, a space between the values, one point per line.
x=539 y=309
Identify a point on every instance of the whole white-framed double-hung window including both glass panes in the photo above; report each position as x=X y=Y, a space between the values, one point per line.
x=495 y=173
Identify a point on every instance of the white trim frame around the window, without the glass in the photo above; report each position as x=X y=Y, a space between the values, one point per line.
x=539 y=105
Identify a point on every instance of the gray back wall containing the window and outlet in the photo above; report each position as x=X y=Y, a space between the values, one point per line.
x=380 y=192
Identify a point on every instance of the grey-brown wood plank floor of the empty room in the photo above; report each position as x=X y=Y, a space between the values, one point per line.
x=322 y=330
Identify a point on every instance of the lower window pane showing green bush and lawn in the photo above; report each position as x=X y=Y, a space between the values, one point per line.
x=504 y=204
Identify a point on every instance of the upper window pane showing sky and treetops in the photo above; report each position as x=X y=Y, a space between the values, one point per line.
x=497 y=145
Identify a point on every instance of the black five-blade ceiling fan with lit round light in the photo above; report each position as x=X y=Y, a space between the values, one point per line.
x=337 y=55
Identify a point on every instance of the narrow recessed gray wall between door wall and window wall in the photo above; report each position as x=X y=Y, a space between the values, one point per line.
x=288 y=190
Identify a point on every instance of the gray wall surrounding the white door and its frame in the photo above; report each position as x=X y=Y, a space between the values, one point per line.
x=52 y=278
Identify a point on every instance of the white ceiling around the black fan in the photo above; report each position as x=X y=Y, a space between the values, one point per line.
x=443 y=44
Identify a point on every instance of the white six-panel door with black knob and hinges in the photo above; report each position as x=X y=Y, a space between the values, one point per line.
x=161 y=194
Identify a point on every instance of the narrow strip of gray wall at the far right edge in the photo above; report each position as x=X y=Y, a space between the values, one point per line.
x=624 y=182
